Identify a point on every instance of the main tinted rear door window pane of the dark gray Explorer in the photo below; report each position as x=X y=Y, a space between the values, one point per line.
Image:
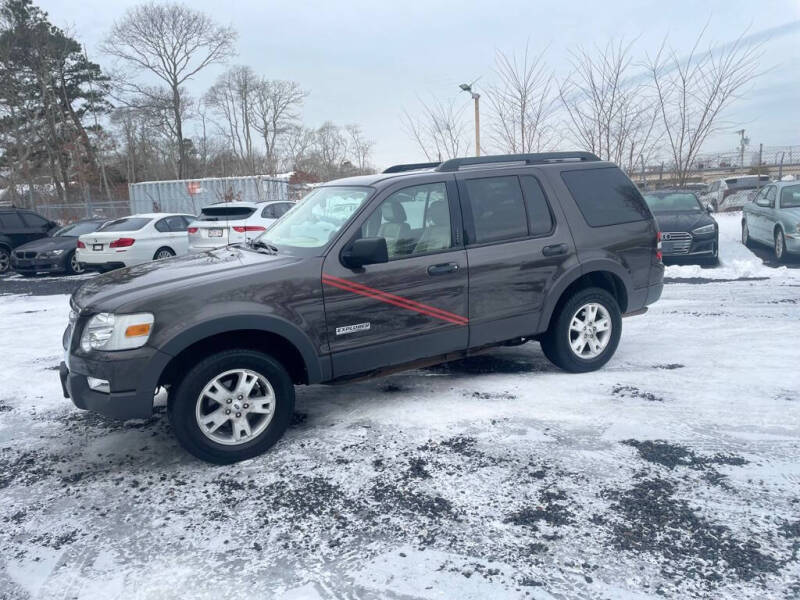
x=498 y=210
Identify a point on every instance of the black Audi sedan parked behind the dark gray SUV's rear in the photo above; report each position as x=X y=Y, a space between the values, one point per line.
x=688 y=231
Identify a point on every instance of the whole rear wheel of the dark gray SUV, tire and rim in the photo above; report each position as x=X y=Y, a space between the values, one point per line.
x=585 y=333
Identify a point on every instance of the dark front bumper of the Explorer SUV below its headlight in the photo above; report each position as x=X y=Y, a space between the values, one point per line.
x=133 y=376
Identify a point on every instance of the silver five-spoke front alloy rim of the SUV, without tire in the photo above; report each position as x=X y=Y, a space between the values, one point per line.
x=235 y=407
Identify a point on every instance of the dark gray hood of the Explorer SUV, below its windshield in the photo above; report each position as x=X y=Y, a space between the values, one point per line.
x=134 y=284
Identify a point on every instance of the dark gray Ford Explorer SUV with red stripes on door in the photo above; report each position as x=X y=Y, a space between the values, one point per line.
x=417 y=265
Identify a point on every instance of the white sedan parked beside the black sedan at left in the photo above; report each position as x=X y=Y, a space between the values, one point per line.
x=134 y=240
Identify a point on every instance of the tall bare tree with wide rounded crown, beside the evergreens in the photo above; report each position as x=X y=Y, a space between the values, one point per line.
x=174 y=42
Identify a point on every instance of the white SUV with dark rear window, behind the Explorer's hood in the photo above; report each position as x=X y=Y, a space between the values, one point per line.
x=233 y=222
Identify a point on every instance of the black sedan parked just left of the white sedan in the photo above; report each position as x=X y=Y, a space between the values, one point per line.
x=54 y=254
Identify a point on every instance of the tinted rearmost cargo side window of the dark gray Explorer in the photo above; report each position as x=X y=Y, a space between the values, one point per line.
x=605 y=196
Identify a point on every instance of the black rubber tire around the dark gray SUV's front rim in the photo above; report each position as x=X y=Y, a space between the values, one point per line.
x=181 y=408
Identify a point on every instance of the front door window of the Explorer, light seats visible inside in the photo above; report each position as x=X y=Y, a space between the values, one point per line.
x=414 y=220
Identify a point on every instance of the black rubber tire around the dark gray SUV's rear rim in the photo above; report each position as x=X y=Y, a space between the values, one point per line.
x=556 y=345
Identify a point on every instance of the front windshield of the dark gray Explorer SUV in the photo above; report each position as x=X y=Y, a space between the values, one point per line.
x=317 y=218
